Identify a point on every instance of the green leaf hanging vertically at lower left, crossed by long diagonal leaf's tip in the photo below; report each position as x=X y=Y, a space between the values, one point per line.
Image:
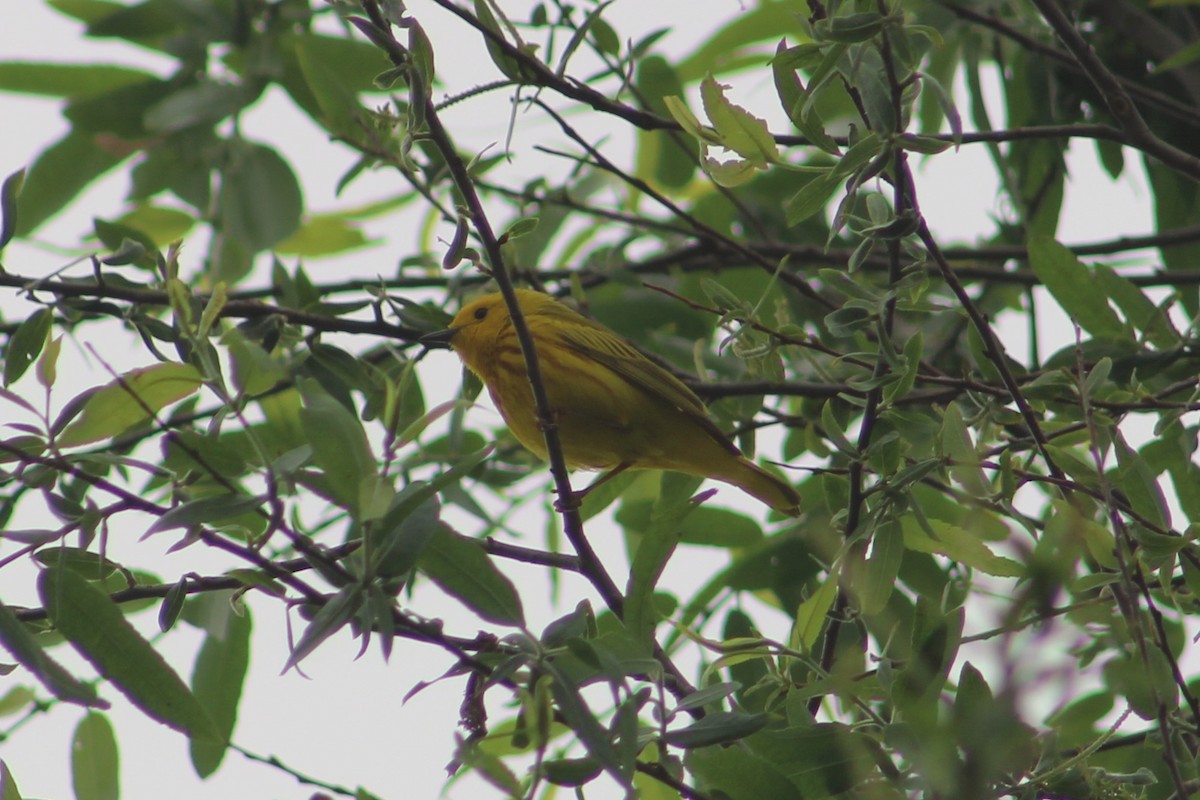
x=218 y=682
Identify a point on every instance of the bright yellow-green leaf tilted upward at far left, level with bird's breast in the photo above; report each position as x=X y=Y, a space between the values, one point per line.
x=131 y=400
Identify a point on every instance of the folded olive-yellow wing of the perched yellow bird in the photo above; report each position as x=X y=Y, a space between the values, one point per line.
x=601 y=345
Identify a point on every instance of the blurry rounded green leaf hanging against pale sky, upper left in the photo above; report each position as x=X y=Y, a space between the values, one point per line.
x=260 y=203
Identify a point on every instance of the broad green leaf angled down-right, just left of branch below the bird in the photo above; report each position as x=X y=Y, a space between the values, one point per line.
x=463 y=568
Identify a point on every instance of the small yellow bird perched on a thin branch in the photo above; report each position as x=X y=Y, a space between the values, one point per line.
x=615 y=408
